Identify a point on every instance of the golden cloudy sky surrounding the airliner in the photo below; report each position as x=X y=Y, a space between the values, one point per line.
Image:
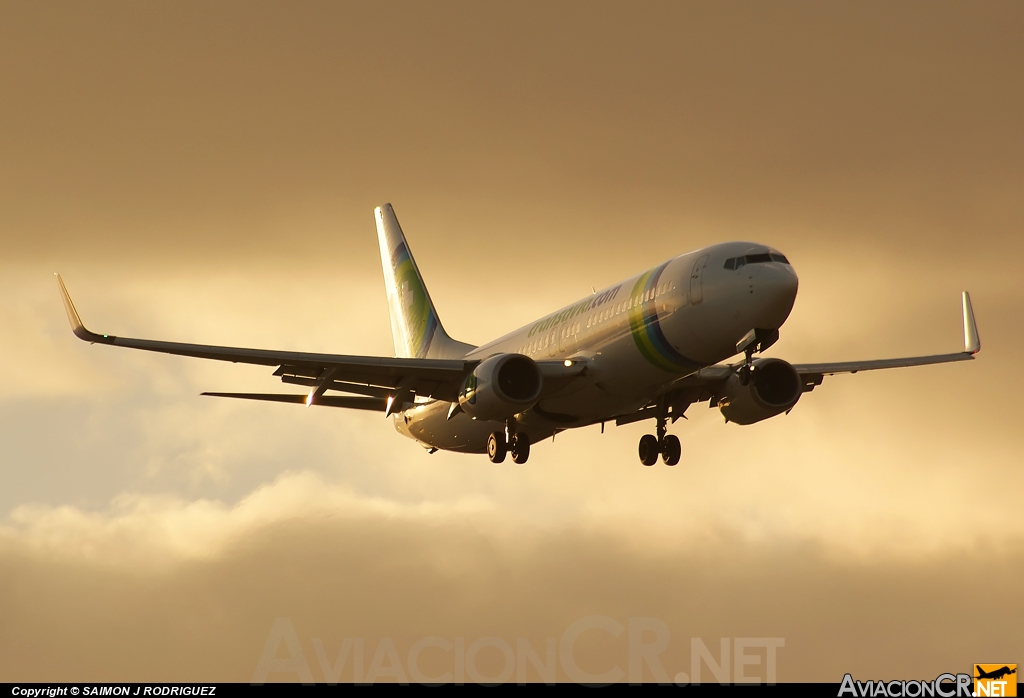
x=207 y=172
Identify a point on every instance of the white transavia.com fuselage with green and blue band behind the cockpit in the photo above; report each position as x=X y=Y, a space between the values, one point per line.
x=636 y=338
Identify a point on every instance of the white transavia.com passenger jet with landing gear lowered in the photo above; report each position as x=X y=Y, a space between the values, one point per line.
x=646 y=348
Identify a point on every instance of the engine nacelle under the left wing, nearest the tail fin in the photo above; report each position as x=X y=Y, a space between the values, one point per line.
x=501 y=386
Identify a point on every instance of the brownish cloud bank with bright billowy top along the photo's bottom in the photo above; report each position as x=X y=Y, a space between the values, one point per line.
x=78 y=610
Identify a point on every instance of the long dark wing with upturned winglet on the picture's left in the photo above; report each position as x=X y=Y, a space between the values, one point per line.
x=375 y=377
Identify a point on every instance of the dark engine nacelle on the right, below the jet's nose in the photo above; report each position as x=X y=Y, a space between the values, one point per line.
x=775 y=388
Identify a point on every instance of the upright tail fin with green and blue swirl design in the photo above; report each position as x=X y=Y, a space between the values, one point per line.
x=415 y=326
